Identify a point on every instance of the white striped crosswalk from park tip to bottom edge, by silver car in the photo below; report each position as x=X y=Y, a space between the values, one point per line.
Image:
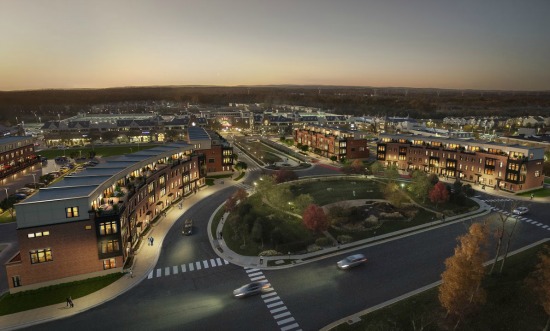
x=274 y=303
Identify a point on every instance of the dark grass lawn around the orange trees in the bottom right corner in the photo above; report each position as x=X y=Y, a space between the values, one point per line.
x=509 y=305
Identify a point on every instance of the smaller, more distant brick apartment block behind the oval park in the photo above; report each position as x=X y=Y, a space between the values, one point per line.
x=328 y=142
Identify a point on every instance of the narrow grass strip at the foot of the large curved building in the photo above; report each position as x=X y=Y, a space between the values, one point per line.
x=13 y=303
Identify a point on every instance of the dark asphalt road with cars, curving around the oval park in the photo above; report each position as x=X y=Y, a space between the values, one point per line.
x=315 y=294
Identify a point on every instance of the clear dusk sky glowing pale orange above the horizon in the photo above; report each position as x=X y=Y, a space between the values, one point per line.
x=467 y=44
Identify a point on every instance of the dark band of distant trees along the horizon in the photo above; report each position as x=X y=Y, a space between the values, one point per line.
x=358 y=101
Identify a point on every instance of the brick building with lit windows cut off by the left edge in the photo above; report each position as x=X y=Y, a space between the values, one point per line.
x=16 y=154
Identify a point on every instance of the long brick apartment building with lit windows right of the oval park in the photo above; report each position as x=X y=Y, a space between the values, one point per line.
x=512 y=168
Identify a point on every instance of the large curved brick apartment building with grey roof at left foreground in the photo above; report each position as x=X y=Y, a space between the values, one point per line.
x=88 y=223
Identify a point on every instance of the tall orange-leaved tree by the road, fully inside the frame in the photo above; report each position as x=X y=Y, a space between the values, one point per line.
x=460 y=292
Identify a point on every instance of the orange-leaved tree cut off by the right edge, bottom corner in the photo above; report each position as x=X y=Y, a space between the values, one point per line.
x=539 y=282
